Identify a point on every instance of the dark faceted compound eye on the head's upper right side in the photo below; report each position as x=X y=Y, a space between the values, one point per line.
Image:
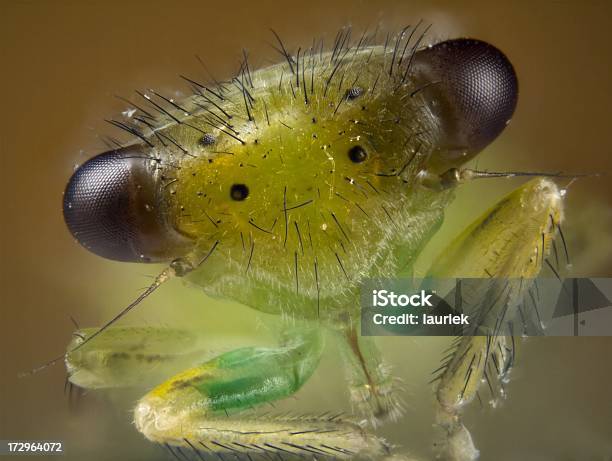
x=475 y=90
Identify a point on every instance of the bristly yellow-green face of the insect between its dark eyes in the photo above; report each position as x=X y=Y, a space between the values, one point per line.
x=314 y=223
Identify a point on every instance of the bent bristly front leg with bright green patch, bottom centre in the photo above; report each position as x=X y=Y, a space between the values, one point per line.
x=191 y=409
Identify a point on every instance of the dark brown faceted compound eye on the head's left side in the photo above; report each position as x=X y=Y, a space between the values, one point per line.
x=110 y=207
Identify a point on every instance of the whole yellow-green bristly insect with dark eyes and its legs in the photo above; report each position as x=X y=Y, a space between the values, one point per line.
x=284 y=188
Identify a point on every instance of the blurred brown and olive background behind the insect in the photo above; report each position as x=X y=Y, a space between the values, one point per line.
x=61 y=63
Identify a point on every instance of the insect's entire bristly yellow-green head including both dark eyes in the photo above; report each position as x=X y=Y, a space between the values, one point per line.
x=285 y=187
